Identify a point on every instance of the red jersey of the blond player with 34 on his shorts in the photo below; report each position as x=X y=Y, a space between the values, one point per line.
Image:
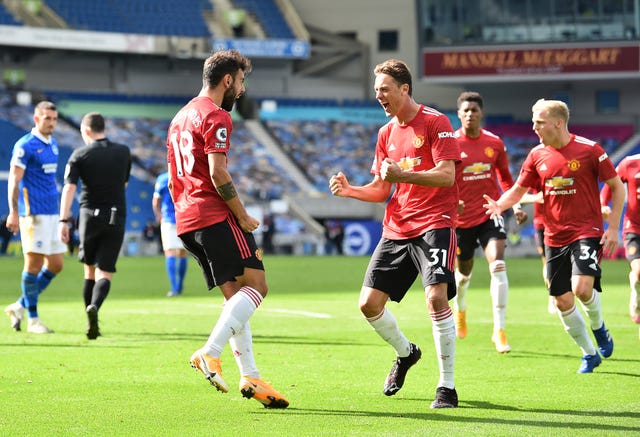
x=569 y=177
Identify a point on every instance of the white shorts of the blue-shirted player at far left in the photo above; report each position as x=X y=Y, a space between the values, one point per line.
x=39 y=234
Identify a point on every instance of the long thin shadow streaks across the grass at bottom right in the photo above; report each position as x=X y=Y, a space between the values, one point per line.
x=441 y=415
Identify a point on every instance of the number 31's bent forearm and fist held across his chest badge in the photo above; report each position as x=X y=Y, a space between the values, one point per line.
x=442 y=175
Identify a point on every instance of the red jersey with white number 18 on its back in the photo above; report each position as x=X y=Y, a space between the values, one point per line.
x=199 y=128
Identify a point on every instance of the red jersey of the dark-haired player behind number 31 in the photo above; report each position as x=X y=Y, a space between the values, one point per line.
x=484 y=170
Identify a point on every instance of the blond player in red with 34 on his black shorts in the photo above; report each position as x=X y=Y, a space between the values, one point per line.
x=569 y=167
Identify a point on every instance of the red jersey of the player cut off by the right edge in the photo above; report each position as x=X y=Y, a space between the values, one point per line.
x=629 y=171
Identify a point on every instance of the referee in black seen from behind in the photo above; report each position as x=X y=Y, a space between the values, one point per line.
x=103 y=167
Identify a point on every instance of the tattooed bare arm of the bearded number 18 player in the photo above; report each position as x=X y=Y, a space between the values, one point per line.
x=224 y=185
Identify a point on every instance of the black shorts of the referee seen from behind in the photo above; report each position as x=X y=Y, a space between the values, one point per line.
x=100 y=242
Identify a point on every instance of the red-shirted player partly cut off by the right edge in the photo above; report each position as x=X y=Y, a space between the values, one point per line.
x=629 y=171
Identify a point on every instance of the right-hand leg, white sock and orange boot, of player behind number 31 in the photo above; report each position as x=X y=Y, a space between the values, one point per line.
x=499 y=290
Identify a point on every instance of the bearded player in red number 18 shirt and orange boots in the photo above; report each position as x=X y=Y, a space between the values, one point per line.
x=213 y=223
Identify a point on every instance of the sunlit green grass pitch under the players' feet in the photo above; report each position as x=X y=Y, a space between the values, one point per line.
x=311 y=342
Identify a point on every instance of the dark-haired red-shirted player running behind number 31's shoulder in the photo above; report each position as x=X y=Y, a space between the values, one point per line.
x=484 y=170
